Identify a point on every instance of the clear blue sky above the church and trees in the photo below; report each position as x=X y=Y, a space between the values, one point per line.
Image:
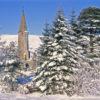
x=37 y=12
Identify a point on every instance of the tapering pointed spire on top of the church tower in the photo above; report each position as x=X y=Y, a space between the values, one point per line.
x=23 y=26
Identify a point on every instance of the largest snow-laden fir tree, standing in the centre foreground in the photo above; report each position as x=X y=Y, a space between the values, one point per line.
x=55 y=76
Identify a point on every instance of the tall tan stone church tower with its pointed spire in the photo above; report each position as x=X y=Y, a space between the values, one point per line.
x=23 y=43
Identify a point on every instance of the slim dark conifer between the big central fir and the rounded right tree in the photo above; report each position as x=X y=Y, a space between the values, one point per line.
x=79 y=40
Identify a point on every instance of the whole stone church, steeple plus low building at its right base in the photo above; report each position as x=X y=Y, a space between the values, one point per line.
x=23 y=45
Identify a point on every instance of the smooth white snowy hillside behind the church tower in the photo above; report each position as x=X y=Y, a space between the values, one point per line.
x=34 y=40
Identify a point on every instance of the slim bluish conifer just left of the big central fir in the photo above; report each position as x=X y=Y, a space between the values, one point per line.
x=42 y=52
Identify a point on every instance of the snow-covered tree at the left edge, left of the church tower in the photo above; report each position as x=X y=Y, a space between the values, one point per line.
x=9 y=67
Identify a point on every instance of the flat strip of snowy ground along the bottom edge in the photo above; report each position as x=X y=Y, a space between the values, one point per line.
x=38 y=96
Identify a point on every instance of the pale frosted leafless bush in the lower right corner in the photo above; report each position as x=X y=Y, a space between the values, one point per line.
x=88 y=78
